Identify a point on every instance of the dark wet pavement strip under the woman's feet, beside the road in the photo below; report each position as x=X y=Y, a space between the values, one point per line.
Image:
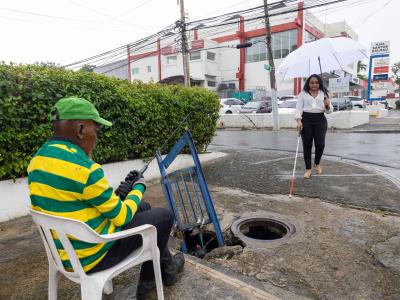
x=269 y=172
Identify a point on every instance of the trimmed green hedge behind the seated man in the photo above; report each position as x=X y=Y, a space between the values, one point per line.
x=144 y=115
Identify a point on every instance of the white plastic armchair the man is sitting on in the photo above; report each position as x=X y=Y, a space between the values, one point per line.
x=92 y=285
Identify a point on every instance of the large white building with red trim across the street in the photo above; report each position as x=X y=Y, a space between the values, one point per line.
x=216 y=65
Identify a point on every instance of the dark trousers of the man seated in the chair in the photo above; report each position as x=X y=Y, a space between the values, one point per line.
x=162 y=219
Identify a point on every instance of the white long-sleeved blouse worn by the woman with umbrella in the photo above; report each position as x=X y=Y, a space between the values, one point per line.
x=307 y=103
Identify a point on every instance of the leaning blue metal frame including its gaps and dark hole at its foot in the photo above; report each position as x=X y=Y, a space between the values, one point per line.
x=189 y=199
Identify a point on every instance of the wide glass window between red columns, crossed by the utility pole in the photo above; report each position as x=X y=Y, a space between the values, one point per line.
x=282 y=44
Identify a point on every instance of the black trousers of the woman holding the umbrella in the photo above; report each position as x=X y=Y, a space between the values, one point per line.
x=314 y=129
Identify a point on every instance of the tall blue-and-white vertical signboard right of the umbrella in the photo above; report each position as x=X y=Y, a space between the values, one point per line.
x=378 y=71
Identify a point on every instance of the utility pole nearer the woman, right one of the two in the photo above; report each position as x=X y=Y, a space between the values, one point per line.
x=272 y=79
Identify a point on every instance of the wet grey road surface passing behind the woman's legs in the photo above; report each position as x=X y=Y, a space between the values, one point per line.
x=379 y=151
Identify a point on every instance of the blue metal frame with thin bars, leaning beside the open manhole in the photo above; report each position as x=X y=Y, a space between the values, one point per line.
x=186 y=140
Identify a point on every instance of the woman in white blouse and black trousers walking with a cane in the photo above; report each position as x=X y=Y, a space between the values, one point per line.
x=312 y=103
